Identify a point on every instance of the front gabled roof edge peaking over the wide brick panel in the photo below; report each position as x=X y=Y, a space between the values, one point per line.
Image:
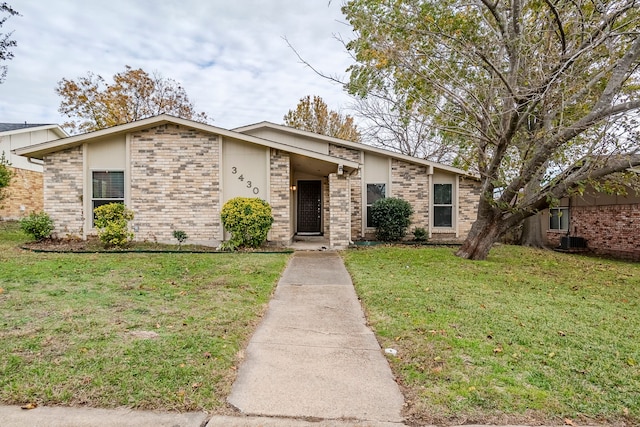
x=38 y=151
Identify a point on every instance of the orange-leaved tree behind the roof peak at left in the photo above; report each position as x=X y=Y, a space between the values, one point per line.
x=92 y=103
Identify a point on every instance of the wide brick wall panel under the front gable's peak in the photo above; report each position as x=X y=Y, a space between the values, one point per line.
x=175 y=184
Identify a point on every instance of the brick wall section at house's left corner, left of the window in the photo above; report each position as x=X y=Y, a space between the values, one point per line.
x=63 y=183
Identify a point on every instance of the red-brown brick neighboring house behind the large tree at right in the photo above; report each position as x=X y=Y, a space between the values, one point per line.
x=602 y=223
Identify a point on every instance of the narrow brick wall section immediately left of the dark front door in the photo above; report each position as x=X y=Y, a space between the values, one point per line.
x=280 y=195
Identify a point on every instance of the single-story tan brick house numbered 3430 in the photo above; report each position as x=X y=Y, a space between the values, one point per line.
x=176 y=174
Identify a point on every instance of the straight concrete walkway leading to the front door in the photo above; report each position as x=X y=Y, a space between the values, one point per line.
x=313 y=355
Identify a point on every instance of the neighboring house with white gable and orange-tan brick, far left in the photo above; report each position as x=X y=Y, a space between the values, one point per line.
x=25 y=191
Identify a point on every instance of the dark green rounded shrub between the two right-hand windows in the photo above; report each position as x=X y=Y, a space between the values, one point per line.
x=391 y=216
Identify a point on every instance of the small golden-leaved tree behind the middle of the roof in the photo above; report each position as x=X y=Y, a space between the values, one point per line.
x=313 y=115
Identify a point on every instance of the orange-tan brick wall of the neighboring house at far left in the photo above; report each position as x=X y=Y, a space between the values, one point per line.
x=25 y=190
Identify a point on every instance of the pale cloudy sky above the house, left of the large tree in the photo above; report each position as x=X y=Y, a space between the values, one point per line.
x=229 y=55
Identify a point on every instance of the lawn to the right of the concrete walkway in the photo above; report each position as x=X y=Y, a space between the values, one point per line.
x=526 y=335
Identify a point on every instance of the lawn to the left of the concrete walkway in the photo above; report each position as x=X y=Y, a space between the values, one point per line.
x=68 y=325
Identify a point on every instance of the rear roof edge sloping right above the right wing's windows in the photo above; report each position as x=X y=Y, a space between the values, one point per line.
x=356 y=145
